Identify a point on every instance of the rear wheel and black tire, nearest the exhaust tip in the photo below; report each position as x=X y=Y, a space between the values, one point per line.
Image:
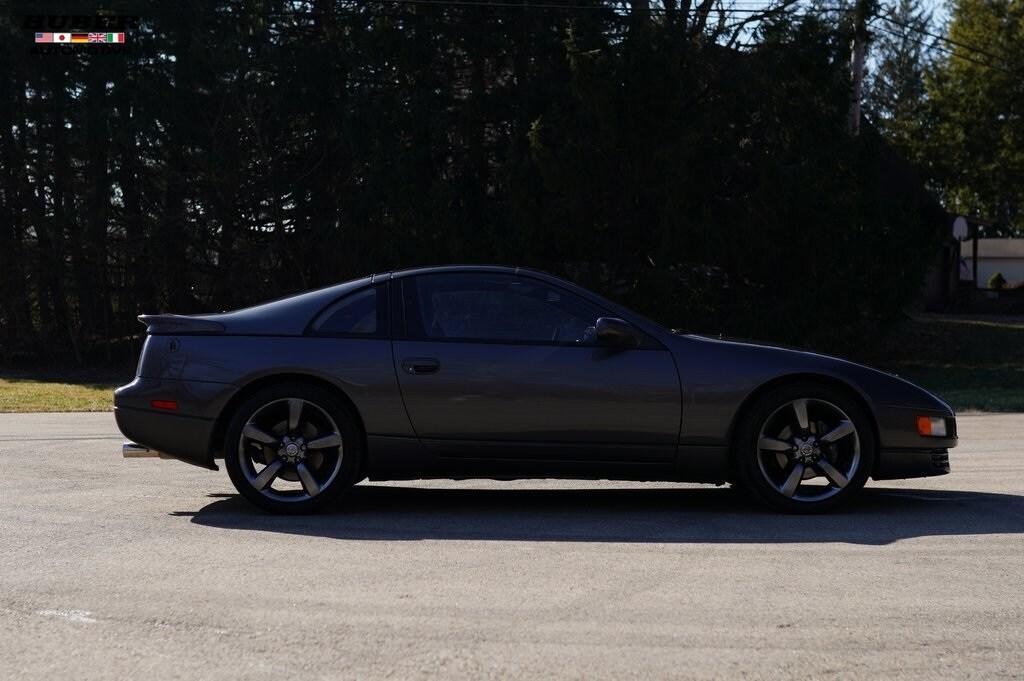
x=306 y=479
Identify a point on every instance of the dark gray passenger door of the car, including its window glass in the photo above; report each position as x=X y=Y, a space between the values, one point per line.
x=507 y=366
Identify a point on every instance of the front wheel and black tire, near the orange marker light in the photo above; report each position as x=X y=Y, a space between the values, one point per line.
x=838 y=470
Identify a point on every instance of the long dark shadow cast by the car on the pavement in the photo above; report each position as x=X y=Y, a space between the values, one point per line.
x=372 y=513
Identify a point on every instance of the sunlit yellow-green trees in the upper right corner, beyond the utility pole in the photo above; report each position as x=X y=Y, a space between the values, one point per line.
x=958 y=110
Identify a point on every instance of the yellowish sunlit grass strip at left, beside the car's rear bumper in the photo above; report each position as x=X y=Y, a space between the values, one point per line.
x=71 y=392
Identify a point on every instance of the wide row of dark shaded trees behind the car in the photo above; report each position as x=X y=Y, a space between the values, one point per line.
x=241 y=152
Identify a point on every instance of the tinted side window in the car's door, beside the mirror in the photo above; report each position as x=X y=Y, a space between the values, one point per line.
x=501 y=308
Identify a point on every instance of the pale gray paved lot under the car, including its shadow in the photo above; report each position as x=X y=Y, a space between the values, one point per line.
x=152 y=570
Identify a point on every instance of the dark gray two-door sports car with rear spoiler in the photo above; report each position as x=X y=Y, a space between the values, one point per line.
x=468 y=372
